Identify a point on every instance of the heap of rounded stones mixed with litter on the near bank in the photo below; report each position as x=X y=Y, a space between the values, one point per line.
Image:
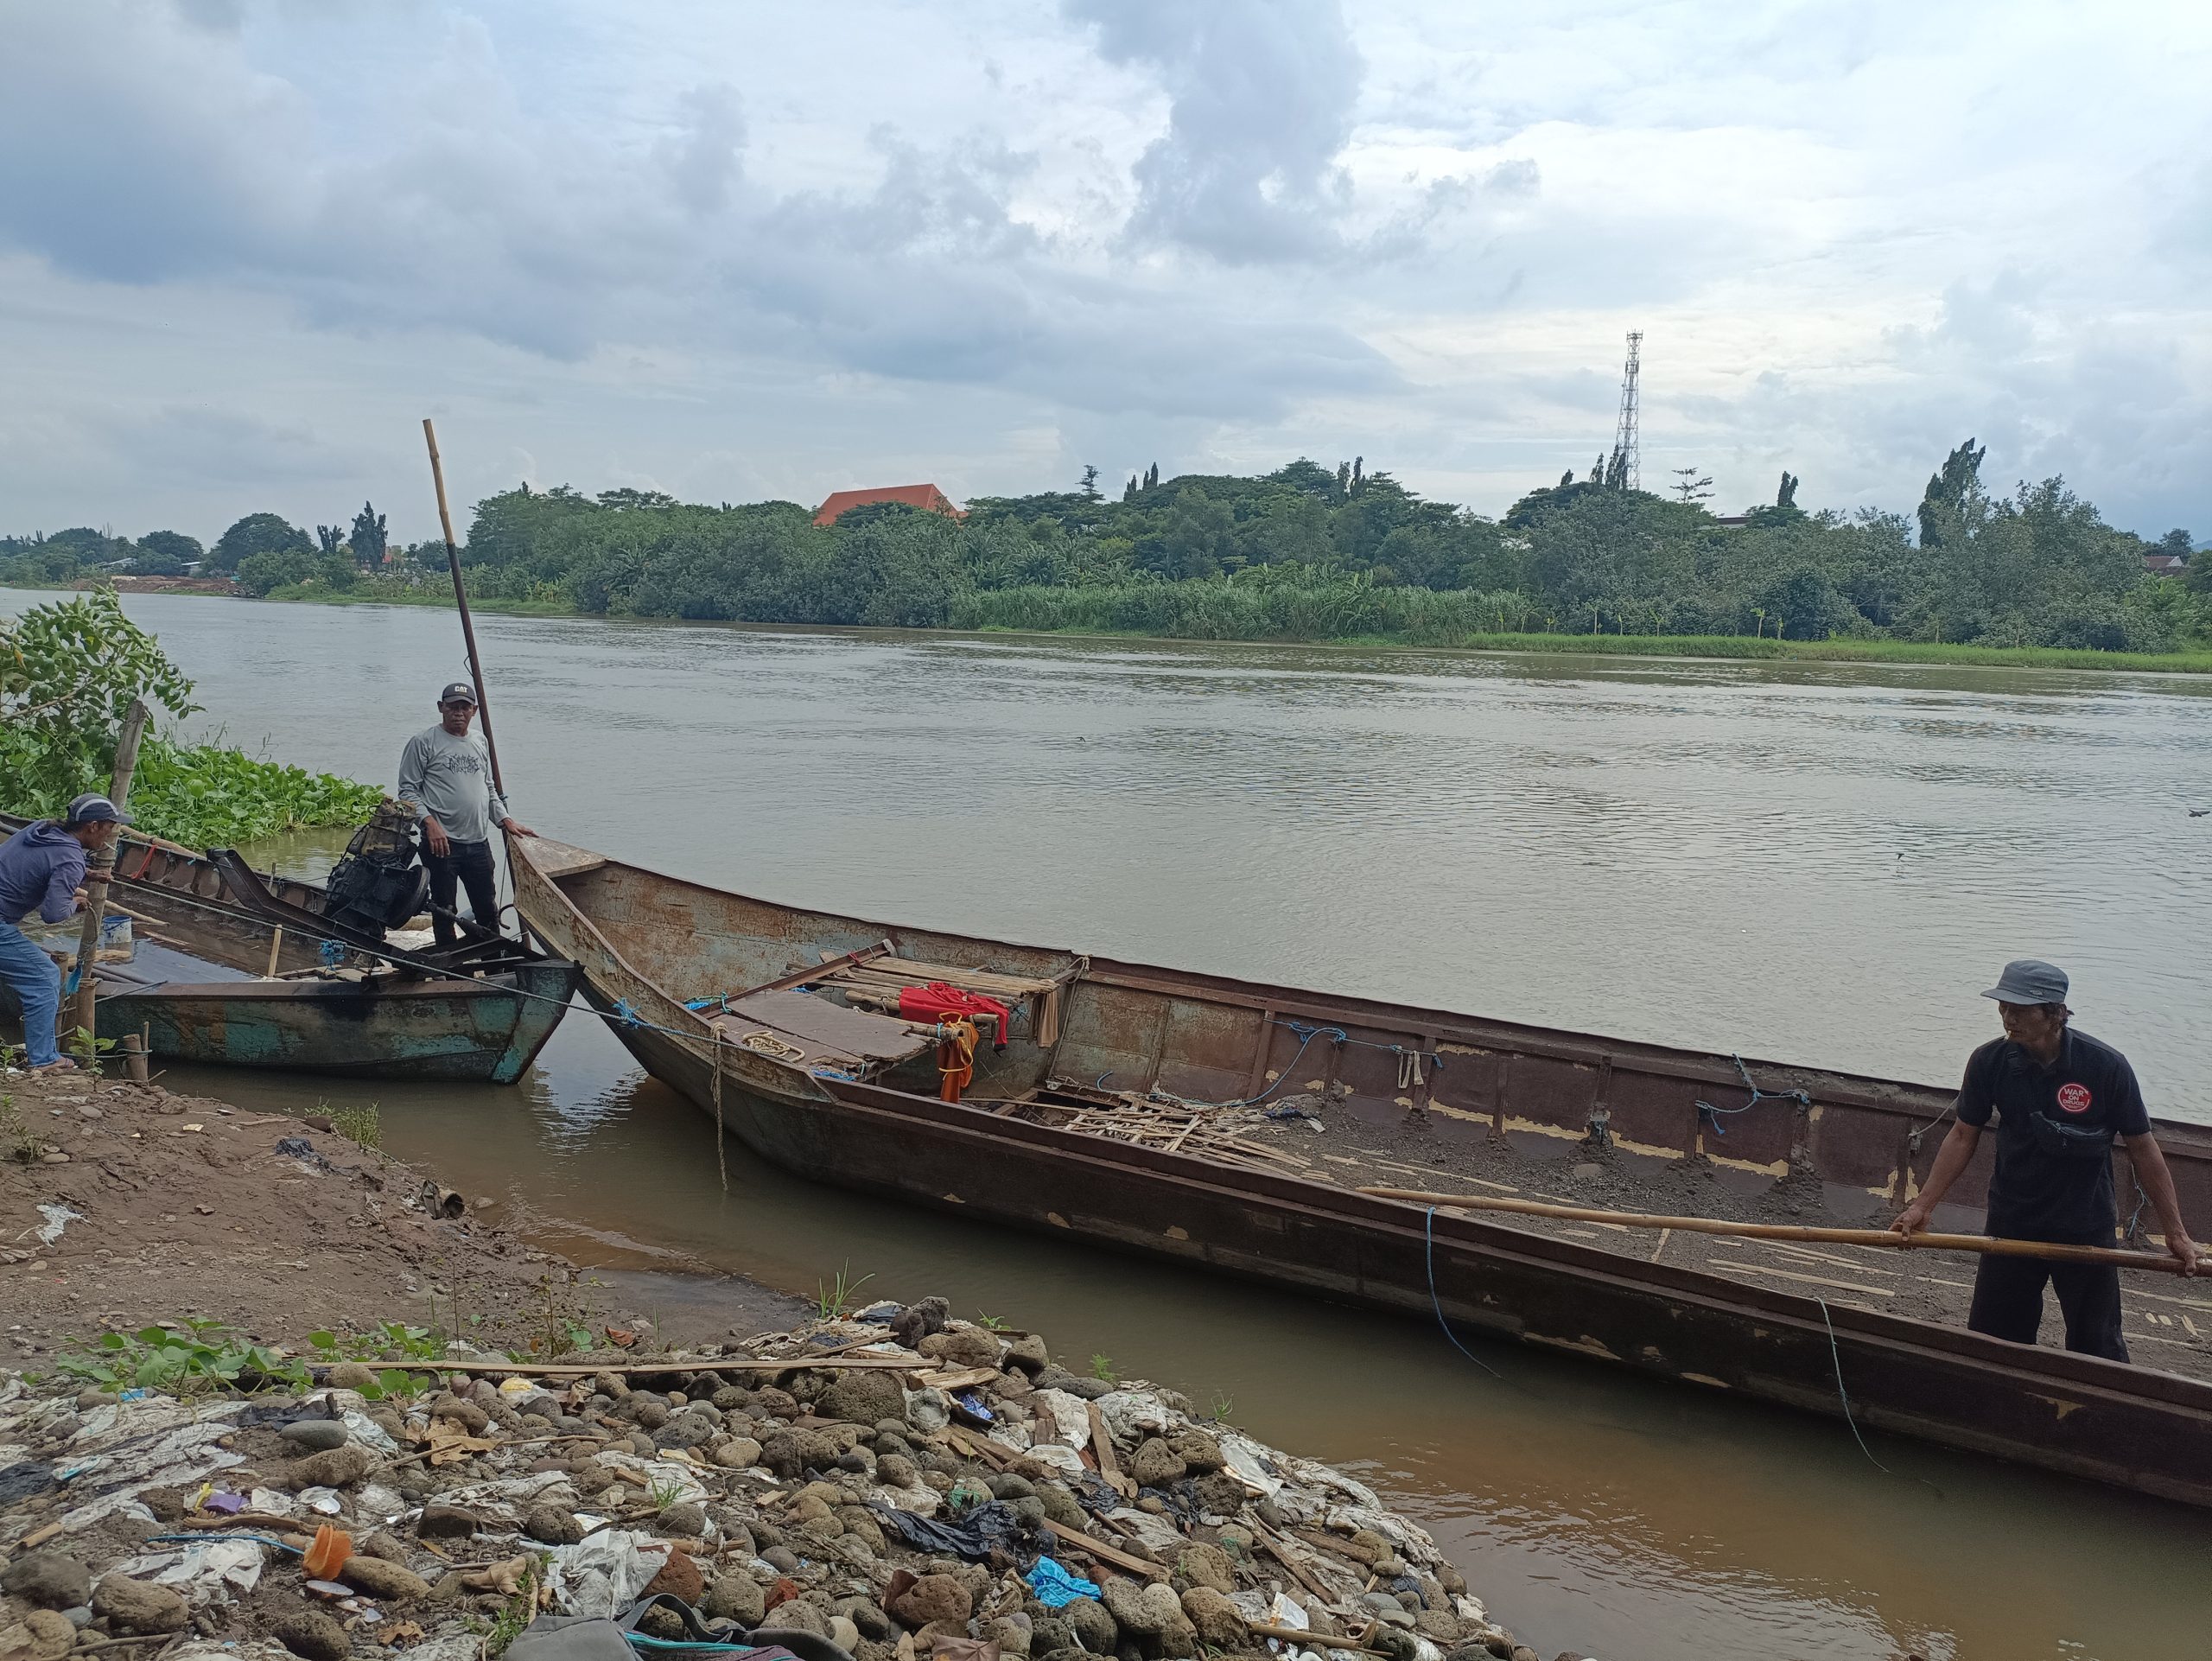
x=899 y=1485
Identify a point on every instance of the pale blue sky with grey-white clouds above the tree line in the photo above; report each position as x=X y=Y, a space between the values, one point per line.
x=740 y=251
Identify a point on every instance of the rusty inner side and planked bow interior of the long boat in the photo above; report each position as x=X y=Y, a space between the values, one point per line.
x=1151 y=1054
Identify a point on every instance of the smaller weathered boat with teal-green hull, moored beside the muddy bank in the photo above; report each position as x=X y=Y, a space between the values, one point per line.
x=218 y=981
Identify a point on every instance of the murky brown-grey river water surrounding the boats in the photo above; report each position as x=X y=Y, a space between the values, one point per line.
x=1822 y=864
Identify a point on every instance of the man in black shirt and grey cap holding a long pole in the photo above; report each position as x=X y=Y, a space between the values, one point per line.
x=2060 y=1098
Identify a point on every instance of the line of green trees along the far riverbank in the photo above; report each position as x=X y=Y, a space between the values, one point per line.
x=1311 y=552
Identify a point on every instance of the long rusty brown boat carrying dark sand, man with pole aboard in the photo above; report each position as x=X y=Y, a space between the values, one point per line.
x=771 y=1018
